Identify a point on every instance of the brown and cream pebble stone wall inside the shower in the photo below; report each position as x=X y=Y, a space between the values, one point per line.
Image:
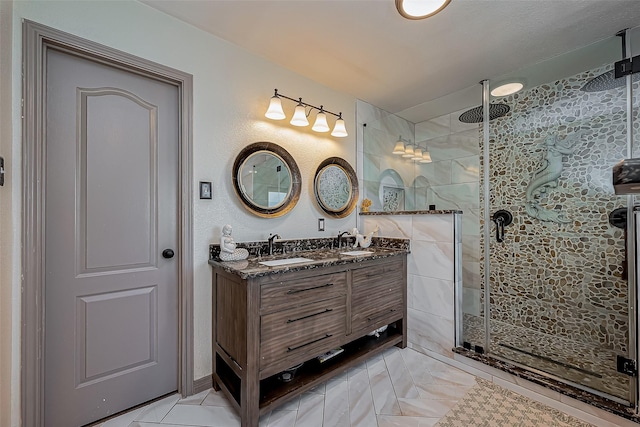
x=559 y=299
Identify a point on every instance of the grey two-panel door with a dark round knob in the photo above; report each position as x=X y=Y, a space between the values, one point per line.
x=111 y=282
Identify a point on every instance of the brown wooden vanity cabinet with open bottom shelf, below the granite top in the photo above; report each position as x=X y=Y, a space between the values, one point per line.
x=265 y=325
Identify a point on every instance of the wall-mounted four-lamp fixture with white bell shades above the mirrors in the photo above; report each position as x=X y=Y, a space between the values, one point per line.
x=300 y=115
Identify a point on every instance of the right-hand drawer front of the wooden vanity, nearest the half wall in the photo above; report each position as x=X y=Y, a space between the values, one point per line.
x=377 y=296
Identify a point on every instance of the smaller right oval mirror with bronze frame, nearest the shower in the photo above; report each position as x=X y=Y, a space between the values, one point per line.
x=336 y=187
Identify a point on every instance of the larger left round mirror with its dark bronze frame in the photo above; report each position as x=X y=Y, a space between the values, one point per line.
x=266 y=179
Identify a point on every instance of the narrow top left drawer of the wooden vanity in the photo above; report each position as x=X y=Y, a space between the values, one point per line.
x=300 y=291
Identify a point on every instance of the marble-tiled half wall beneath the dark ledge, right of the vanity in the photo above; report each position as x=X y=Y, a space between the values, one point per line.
x=433 y=268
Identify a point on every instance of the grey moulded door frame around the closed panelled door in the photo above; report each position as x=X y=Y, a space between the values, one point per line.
x=37 y=39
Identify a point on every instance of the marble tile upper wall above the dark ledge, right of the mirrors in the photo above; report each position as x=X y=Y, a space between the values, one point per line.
x=449 y=182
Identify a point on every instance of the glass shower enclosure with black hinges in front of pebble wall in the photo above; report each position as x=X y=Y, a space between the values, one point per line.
x=555 y=285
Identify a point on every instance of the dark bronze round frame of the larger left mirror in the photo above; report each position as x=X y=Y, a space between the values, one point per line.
x=296 y=183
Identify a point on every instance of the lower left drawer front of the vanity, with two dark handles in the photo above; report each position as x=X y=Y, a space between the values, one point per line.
x=289 y=337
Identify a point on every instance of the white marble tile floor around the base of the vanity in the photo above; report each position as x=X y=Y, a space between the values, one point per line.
x=399 y=388
